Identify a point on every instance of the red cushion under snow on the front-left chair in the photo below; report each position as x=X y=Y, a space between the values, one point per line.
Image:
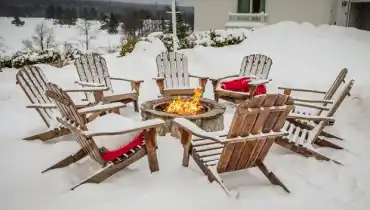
x=110 y=155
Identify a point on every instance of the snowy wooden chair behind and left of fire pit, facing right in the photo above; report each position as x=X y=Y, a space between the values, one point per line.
x=92 y=71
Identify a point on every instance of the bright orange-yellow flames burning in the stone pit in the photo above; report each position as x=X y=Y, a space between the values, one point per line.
x=186 y=107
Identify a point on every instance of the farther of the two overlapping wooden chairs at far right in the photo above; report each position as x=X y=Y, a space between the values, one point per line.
x=322 y=103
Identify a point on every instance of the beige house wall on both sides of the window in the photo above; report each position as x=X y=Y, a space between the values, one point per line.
x=214 y=13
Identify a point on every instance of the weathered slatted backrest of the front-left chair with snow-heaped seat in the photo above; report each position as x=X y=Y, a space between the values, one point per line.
x=72 y=120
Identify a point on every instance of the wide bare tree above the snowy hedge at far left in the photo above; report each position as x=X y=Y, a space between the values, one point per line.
x=43 y=39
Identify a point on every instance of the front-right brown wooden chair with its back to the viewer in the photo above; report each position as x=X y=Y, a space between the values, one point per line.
x=256 y=124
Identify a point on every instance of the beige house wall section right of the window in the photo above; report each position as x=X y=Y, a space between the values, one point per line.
x=314 y=11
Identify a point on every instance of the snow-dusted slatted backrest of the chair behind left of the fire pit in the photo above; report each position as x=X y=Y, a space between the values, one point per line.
x=93 y=68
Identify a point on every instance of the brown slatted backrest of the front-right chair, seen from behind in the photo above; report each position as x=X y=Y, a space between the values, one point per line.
x=262 y=114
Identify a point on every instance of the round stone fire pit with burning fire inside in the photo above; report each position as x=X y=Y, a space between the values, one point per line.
x=206 y=113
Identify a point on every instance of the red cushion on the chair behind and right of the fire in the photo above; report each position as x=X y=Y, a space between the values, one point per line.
x=241 y=85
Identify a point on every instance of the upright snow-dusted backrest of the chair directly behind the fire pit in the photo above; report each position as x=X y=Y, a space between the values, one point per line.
x=173 y=67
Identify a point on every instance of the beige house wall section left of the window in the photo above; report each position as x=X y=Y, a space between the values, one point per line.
x=213 y=14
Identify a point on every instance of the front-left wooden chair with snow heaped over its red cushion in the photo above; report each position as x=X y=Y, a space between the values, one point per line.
x=88 y=135
